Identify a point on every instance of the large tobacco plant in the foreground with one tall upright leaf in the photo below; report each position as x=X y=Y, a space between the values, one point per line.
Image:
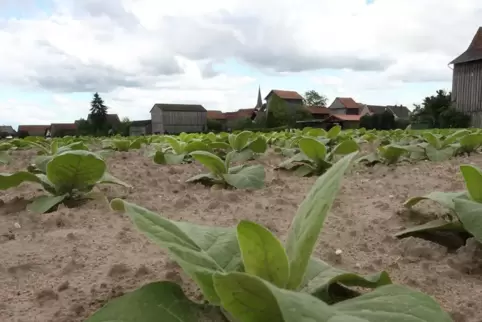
x=248 y=275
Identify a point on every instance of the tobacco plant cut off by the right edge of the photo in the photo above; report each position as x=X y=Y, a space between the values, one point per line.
x=465 y=208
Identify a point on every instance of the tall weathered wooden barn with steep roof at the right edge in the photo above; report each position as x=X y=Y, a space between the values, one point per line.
x=467 y=80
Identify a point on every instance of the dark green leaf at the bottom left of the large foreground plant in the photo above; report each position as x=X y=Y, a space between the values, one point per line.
x=151 y=303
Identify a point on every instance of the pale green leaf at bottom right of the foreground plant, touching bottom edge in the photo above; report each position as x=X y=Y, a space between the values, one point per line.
x=394 y=303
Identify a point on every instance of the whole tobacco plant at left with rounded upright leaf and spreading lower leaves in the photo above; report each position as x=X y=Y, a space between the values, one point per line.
x=69 y=177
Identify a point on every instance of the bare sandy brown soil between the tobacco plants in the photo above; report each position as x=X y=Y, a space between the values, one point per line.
x=64 y=265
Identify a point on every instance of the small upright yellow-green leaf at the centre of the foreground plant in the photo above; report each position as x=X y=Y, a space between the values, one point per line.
x=263 y=254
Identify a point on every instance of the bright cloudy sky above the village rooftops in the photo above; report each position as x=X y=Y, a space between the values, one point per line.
x=55 y=53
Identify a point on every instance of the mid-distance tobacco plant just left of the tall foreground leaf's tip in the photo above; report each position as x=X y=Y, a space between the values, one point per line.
x=223 y=174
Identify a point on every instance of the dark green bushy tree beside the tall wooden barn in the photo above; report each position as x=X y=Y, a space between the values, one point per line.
x=437 y=111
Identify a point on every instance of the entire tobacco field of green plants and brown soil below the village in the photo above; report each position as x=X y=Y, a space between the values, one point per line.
x=298 y=225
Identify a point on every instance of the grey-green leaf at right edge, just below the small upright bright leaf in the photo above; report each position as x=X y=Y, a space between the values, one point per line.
x=470 y=214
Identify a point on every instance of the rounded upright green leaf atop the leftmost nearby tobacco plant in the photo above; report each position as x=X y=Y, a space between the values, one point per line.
x=75 y=170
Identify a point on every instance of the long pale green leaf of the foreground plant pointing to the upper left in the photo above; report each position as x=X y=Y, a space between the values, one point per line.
x=199 y=250
